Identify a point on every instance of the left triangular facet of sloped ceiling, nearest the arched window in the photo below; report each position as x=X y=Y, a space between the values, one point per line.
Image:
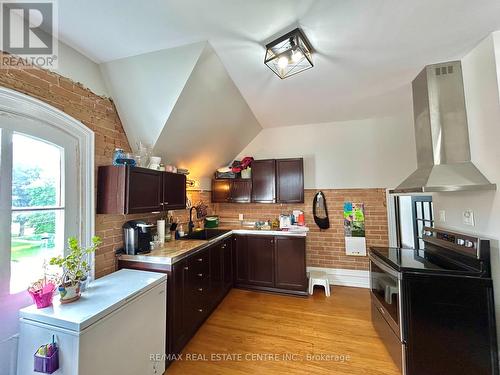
x=146 y=87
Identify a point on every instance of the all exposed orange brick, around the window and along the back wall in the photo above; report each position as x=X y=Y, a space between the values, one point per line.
x=324 y=248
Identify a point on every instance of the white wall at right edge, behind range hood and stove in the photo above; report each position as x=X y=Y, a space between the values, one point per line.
x=480 y=69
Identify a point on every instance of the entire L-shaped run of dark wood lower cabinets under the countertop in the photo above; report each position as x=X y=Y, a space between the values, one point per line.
x=198 y=283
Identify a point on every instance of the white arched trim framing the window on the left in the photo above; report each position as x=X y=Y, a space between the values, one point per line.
x=13 y=103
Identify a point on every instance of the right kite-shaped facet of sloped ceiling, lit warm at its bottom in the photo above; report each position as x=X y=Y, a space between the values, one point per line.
x=210 y=123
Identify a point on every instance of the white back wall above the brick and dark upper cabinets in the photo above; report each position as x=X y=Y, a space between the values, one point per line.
x=377 y=152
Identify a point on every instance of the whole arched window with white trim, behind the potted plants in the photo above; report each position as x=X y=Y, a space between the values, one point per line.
x=46 y=193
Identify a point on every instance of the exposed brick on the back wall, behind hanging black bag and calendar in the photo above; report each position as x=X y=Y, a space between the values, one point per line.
x=324 y=248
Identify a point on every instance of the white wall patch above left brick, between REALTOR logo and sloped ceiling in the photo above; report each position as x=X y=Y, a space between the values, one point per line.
x=72 y=64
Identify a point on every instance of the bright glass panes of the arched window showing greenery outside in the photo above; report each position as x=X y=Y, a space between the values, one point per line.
x=39 y=198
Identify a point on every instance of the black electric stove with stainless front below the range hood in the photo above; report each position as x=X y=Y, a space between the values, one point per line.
x=434 y=307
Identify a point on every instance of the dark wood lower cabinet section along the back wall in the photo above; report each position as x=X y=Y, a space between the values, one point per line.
x=270 y=263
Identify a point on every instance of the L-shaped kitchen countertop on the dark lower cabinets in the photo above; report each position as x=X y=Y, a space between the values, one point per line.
x=173 y=251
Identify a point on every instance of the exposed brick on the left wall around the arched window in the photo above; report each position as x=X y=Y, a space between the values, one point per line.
x=99 y=114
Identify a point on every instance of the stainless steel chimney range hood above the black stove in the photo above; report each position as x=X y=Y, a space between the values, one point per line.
x=442 y=134
